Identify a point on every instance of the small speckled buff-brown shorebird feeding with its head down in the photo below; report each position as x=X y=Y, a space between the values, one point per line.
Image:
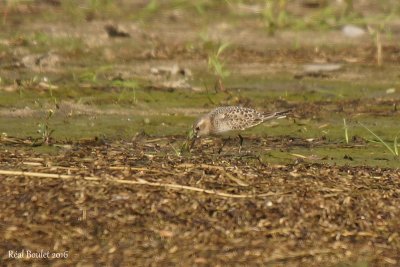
x=226 y=119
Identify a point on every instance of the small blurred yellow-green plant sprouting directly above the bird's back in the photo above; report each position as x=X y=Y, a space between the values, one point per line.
x=217 y=66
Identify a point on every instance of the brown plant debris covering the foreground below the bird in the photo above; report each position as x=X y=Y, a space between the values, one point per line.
x=144 y=205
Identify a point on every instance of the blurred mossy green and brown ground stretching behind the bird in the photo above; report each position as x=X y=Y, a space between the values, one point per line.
x=156 y=65
